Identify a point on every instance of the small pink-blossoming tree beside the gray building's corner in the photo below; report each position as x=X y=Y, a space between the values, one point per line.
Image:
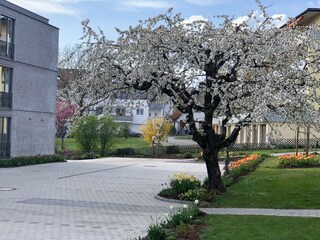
x=65 y=113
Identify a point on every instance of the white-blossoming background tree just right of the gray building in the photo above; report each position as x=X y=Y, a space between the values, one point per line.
x=78 y=85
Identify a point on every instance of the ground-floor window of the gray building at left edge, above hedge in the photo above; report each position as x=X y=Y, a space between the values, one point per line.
x=4 y=137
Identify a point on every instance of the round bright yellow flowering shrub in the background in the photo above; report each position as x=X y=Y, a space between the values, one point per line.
x=156 y=130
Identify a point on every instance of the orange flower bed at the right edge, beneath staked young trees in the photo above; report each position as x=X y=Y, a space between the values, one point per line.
x=298 y=161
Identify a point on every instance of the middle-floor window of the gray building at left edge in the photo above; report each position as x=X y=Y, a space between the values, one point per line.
x=5 y=87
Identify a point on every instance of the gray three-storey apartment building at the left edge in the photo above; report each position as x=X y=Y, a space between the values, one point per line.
x=28 y=72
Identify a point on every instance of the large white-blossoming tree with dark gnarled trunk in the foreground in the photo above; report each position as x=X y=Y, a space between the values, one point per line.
x=230 y=70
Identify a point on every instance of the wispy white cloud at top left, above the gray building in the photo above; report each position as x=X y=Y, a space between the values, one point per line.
x=50 y=6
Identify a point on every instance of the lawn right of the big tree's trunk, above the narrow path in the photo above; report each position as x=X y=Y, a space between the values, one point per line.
x=271 y=187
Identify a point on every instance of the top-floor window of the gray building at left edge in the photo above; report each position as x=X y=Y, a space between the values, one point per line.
x=6 y=36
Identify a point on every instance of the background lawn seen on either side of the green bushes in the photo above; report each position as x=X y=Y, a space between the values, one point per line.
x=71 y=144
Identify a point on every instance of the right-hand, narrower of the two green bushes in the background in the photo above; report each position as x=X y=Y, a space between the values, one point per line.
x=108 y=131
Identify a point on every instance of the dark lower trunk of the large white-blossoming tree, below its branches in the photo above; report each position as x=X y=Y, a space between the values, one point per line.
x=213 y=169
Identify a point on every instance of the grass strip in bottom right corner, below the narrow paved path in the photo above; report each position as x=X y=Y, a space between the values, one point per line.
x=229 y=227
